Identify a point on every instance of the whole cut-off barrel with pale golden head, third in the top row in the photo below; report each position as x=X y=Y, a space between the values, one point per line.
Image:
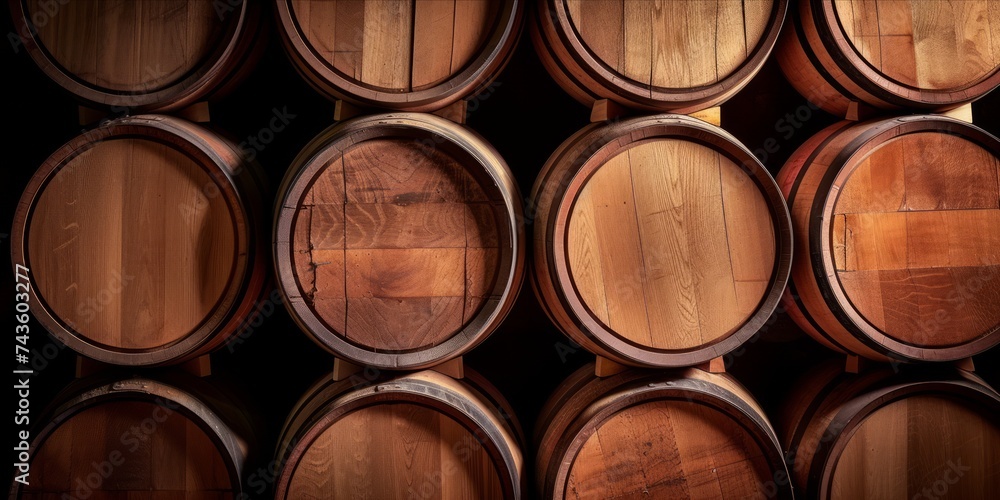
x=674 y=56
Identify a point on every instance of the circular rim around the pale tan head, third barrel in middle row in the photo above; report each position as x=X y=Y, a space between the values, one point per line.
x=607 y=143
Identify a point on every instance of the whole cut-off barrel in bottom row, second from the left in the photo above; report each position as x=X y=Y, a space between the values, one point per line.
x=421 y=435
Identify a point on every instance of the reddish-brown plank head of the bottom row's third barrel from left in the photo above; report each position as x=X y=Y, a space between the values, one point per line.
x=668 y=449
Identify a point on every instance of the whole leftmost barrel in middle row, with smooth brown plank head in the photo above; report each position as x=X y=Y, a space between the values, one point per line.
x=142 y=237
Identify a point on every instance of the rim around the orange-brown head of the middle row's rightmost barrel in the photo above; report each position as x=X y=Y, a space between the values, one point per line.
x=821 y=228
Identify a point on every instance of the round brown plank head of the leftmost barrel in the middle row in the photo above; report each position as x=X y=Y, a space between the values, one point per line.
x=129 y=246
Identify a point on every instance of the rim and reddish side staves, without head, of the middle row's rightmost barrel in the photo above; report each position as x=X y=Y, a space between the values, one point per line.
x=850 y=333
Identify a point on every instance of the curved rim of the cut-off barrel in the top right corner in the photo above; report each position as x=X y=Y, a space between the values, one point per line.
x=865 y=75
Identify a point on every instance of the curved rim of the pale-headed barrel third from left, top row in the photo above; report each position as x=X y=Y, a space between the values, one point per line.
x=617 y=87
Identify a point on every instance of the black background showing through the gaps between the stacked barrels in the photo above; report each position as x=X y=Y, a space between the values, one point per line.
x=525 y=116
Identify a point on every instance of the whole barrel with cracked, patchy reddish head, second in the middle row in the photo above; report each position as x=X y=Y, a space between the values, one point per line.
x=398 y=240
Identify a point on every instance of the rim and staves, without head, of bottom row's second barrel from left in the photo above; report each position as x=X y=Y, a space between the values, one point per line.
x=312 y=414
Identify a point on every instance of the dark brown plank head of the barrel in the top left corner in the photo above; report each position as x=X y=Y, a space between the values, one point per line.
x=136 y=46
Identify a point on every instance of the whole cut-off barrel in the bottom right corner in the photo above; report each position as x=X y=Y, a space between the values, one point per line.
x=883 y=434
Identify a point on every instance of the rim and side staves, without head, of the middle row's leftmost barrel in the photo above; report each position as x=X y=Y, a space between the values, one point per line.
x=239 y=181
